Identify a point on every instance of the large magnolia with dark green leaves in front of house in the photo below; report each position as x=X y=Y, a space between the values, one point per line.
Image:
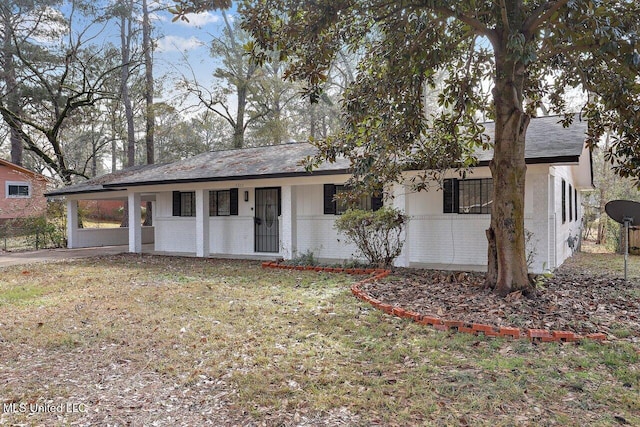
x=501 y=58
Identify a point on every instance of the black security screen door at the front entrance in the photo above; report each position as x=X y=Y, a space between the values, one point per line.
x=266 y=219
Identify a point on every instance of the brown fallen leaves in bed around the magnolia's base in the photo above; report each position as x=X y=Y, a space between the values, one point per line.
x=571 y=300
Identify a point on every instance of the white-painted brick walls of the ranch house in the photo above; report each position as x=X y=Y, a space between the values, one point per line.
x=433 y=238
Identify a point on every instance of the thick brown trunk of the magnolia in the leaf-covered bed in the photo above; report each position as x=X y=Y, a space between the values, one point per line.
x=507 y=256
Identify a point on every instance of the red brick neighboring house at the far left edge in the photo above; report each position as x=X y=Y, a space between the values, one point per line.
x=21 y=192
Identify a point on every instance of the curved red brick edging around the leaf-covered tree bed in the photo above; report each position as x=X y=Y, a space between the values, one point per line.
x=533 y=335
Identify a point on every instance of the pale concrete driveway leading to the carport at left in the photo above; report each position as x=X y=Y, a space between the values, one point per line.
x=46 y=255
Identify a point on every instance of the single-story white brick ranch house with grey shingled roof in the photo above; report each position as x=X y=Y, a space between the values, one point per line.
x=261 y=203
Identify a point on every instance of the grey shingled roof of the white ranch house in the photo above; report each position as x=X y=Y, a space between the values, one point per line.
x=547 y=142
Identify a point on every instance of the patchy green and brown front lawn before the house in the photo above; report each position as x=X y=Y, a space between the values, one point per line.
x=182 y=341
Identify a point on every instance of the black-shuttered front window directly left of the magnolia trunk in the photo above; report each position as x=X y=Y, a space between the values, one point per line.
x=468 y=196
